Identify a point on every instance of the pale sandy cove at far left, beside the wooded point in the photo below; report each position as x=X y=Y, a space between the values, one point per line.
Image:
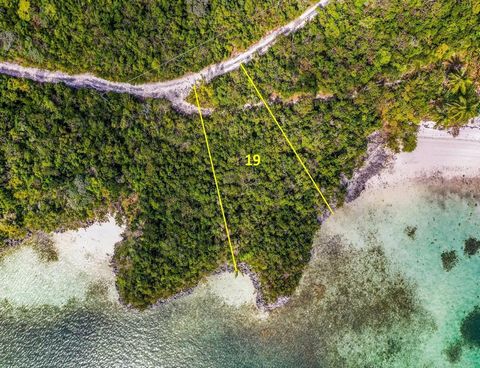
x=83 y=267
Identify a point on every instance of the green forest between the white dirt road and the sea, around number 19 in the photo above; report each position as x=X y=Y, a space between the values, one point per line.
x=72 y=155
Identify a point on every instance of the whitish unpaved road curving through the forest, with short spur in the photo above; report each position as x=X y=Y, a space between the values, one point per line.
x=175 y=90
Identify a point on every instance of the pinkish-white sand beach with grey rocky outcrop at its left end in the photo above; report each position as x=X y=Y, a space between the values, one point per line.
x=438 y=153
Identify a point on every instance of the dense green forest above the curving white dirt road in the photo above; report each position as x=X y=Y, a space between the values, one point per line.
x=145 y=40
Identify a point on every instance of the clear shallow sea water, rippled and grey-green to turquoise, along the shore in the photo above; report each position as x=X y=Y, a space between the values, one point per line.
x=373 y=296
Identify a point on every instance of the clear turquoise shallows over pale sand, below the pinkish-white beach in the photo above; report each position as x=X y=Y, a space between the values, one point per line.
x=413 y=226
